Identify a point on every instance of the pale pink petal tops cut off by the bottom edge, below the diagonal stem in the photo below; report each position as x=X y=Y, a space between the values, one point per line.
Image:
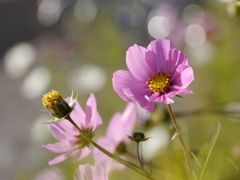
x=87 y=172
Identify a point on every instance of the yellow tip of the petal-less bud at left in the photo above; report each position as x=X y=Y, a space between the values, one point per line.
x=51 y=98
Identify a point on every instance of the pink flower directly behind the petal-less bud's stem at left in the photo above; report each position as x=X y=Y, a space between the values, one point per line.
x=72 y=144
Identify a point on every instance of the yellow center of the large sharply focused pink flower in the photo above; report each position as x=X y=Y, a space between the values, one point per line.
x=159 y=82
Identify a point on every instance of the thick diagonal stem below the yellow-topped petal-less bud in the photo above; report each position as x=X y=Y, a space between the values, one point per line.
x=113 y=156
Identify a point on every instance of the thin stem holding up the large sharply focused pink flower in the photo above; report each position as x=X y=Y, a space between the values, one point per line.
x=181 y=140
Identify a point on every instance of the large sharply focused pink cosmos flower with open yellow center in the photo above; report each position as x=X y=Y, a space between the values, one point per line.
x=157 y=74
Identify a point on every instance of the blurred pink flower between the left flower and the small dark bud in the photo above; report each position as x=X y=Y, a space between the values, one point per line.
x=116 y=139
